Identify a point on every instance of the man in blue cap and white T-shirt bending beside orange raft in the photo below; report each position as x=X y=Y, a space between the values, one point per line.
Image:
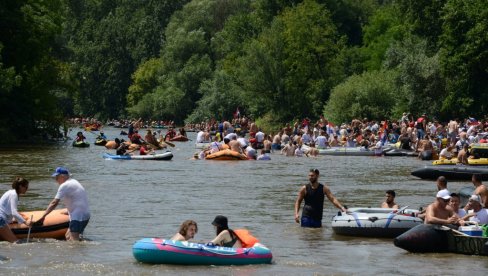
x=75 y=198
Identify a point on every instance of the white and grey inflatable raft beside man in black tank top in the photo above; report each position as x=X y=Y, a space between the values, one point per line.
x=375 y=222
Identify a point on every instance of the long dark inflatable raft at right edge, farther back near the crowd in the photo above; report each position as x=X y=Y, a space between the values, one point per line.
x=453 y=172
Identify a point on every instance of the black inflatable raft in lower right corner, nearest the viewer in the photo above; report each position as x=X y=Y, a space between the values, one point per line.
x=429 y=238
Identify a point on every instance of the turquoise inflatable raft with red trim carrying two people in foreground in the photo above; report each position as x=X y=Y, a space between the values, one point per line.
x=160 y=251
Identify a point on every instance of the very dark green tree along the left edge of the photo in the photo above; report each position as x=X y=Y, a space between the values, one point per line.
x=31 y=71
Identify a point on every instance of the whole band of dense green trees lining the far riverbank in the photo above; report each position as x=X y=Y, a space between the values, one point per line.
x=276 y=60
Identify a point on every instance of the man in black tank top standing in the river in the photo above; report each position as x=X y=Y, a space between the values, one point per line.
x=314 y=193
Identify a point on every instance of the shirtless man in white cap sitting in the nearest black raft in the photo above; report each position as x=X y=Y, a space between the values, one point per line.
x=440 y=212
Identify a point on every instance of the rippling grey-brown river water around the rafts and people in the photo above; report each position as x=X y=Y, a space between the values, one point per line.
x=130 y=200
